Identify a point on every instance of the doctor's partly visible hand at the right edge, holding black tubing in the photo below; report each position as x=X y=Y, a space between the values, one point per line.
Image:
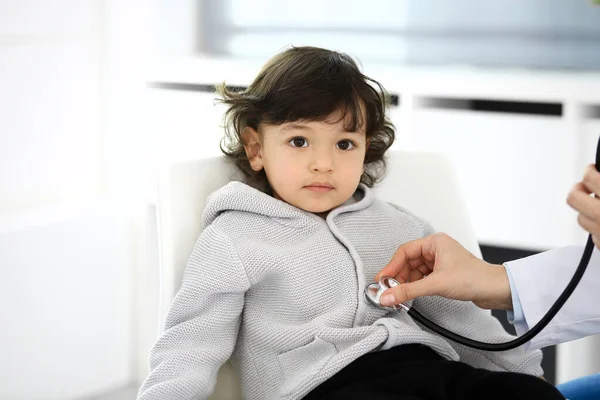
x=588 y=206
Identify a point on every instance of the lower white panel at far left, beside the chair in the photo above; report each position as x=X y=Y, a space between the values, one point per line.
x=66 y=308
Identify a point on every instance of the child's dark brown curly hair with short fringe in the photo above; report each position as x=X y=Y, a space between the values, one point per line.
x=311 y=84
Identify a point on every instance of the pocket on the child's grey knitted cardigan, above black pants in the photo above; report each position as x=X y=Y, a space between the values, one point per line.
x=303 y=363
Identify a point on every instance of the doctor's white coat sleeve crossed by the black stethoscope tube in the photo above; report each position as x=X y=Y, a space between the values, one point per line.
x=540 y=279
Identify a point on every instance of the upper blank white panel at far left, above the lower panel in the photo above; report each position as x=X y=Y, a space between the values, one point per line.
x=50 y=101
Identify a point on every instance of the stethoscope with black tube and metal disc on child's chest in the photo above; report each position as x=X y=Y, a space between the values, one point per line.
x=374 y=290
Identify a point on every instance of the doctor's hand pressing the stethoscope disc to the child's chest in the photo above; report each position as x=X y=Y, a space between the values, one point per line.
x=439 y=265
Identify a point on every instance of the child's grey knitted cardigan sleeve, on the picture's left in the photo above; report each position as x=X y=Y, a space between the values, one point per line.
x=202 y=323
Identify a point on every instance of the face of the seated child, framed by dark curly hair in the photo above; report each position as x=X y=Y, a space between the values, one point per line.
x=315 y=166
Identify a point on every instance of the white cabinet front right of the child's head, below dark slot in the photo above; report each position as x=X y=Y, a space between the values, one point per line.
x=511 y=168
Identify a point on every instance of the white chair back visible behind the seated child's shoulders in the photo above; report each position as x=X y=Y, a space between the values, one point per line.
x=425 y=183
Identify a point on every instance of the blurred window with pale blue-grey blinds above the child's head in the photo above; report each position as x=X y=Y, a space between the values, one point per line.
x=528 y=33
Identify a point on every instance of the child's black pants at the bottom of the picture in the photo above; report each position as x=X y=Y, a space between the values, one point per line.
x=415 y=372
